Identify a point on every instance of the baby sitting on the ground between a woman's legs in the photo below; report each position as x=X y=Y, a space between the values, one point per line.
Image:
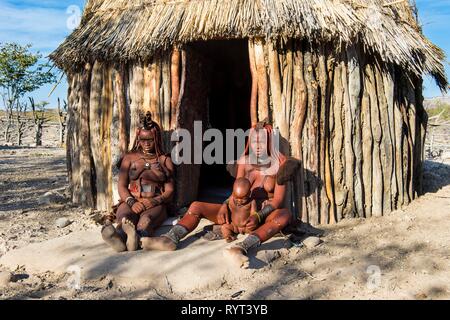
x=241 y=207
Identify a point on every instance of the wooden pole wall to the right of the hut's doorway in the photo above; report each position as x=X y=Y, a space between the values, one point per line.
x=353 y=123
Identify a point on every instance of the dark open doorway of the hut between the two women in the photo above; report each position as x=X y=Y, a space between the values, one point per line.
x=228 y=72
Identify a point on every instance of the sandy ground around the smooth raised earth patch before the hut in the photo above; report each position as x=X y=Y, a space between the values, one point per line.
x=404 y=255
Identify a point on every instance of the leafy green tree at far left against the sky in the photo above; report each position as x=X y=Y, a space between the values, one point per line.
x=20 y=73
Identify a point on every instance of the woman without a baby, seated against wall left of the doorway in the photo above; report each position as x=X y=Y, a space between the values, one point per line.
x=146 y=186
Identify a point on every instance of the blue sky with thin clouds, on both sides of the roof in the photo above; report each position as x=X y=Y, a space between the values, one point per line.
x=44 y=24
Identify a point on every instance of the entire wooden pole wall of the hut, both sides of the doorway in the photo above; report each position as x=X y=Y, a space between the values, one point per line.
x=357 y=125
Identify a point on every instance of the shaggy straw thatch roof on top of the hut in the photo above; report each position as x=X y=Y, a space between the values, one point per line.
x=132 y=29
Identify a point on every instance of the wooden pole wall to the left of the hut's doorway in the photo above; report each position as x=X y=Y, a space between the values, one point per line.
x=104 y=103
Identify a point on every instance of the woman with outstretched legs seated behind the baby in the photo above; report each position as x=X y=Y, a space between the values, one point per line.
x=260 y=164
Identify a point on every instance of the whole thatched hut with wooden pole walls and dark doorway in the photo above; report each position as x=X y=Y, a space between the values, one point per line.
x=341 y=79
